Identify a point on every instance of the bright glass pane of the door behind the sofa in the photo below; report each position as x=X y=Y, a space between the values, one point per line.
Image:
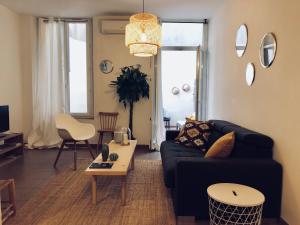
x=179 y=85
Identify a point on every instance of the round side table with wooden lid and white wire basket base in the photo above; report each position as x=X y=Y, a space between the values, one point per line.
x=234 y=204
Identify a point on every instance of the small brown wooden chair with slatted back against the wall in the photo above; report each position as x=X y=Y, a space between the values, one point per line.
x=108 y=122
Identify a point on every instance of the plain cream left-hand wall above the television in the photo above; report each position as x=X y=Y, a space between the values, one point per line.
x=15 y=68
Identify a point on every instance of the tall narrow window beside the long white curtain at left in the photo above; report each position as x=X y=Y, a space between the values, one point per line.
x=79 y=95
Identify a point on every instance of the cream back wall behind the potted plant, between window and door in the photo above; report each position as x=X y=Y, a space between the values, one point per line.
x=113 y=47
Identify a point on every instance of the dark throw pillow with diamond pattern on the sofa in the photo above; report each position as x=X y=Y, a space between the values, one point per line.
x=194 y=134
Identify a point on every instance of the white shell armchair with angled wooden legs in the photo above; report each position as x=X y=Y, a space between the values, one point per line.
x=71 y=130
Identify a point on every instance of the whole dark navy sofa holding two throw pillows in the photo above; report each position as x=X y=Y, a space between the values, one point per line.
x=188 y=174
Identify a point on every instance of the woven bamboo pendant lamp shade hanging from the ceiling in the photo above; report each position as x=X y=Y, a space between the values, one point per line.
x=143 y=35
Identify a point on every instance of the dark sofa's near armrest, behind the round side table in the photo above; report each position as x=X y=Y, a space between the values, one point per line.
x=194 y=175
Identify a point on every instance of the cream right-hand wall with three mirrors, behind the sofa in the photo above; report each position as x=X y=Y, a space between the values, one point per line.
x=272 y=104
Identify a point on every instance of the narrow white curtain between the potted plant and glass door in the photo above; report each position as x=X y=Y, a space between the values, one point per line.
x=158 y=126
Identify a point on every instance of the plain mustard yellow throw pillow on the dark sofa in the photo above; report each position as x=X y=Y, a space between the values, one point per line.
x=222 y=147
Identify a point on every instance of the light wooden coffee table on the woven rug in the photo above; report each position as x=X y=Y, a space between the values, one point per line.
x=120 y=168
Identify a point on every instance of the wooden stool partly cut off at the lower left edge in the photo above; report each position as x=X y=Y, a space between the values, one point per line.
x=9 y=207
